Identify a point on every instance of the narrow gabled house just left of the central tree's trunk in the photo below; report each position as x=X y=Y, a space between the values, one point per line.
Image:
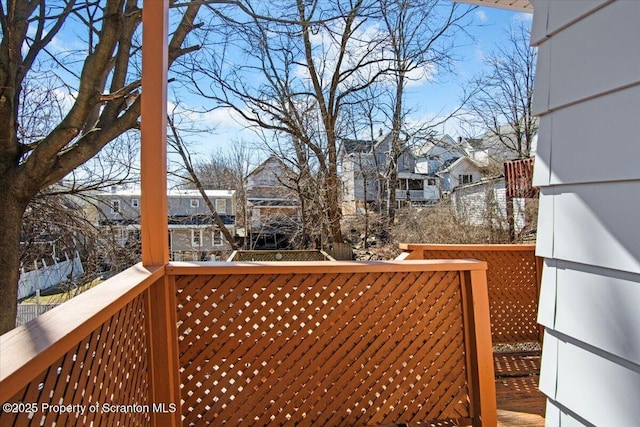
x=273 y=208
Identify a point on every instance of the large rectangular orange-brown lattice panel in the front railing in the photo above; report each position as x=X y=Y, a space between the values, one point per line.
x=322 y=349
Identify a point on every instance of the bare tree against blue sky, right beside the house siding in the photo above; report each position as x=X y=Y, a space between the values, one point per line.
x=502 y=103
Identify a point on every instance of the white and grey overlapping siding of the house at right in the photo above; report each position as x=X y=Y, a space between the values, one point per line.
x=588 y=98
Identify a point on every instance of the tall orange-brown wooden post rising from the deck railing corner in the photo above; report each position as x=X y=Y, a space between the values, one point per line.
x=162 y=353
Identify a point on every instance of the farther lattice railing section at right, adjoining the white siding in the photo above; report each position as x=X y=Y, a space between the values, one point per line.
x=513 y=276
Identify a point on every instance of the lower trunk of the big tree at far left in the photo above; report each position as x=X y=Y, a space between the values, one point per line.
x=11 y=212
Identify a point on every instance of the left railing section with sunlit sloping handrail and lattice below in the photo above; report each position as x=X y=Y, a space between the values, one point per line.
x=90 y=359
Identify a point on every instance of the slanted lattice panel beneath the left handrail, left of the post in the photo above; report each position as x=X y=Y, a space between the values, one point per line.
x=108 y=367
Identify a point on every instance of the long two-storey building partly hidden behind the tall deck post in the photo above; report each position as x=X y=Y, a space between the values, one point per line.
x=193 y=234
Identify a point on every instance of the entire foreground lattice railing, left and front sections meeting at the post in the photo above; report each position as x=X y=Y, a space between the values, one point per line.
x=318 y=343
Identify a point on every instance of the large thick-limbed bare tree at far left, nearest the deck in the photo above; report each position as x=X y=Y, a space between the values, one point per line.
x=102 y=87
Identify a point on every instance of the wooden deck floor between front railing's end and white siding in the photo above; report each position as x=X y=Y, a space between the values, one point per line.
x=520 y=403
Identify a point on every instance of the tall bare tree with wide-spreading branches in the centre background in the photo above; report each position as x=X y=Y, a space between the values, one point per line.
x=290 y=67
